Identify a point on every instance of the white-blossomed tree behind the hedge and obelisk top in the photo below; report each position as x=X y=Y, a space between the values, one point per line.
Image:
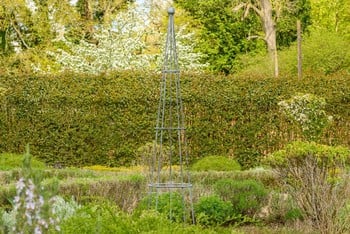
x=122 y=45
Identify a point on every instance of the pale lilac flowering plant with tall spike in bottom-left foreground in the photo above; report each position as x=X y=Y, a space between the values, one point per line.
x=32 y=212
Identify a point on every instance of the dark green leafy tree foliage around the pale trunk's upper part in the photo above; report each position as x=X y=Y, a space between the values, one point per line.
x=226 y=33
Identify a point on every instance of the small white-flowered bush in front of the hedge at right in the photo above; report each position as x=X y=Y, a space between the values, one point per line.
x=307 y=110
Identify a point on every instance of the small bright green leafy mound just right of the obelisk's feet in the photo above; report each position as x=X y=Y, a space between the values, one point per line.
x=212 y=211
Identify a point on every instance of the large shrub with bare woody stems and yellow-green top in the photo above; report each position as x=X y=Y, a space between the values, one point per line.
x=315 y=176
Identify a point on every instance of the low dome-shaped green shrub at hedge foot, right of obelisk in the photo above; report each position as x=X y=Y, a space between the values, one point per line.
x=216 y=163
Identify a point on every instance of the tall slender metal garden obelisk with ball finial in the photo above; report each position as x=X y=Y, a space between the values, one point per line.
x=168 y=171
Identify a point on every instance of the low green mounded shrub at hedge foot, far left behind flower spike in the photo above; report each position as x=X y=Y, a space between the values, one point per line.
x=15 y=161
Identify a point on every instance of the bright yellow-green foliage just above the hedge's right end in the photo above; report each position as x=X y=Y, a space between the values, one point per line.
x=323 y=52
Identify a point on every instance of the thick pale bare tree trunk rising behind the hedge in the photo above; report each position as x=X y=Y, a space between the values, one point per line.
x=270 y=32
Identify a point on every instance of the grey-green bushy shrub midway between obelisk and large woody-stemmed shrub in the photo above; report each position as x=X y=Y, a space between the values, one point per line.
x=246 y=196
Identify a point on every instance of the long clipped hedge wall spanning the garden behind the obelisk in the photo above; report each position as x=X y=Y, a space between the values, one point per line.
x=86 y=120
